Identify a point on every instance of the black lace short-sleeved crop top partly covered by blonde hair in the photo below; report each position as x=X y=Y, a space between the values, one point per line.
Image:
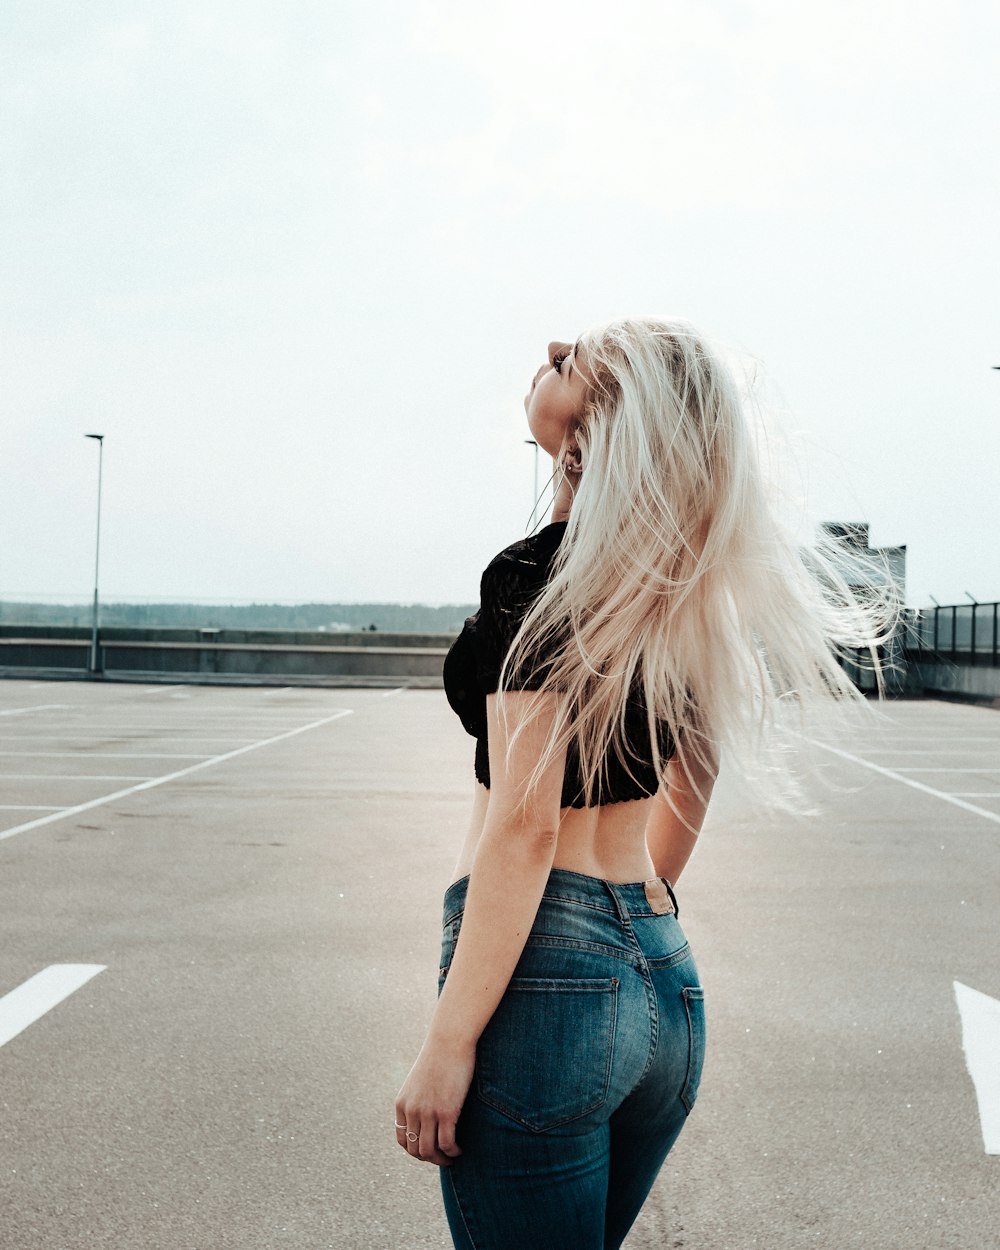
x=511 y=584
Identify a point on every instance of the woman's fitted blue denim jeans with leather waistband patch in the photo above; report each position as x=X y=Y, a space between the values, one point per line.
x=584 y=1076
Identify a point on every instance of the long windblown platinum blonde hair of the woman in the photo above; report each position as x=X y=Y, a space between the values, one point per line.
x=676 y=579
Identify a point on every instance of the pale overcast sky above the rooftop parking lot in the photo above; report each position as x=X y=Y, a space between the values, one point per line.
x=299 y=261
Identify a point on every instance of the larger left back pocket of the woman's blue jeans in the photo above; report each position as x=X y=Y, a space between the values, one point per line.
x=546 y=1057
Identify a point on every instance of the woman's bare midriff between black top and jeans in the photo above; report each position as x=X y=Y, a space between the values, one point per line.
x=607 y=842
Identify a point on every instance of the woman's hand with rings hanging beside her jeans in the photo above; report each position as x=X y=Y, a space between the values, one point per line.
x=432 y=1099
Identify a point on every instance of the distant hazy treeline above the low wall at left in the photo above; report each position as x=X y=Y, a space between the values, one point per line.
x=389 y=618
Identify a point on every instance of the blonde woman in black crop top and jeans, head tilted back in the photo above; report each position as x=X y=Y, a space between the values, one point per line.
x=659 y=619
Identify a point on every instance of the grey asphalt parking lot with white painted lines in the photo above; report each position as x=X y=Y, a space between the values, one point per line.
x=221 y=951
